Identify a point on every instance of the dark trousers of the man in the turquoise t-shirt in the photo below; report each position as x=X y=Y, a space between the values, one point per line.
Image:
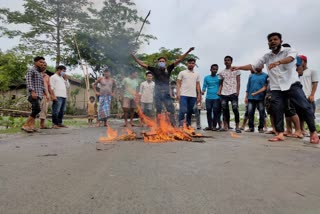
x=213 y=107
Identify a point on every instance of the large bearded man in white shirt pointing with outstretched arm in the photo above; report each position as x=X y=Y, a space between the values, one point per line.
x=284 y=84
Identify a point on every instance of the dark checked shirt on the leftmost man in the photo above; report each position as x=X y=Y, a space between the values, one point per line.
x=35 y=82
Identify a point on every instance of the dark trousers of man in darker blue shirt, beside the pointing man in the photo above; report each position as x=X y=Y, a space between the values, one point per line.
x=252 y=105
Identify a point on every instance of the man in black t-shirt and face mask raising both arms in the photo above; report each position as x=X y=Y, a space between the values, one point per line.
x=162 y=75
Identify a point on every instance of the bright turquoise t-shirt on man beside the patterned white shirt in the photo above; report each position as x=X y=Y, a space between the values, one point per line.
x=211 y=85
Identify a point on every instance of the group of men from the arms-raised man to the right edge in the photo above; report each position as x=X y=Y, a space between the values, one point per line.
x=291 y=86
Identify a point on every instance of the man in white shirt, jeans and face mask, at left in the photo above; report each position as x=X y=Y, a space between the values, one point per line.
x=59 y=83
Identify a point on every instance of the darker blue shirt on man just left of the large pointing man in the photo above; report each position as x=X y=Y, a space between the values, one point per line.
x=255 y=83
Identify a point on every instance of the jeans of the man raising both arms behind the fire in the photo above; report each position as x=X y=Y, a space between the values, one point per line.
x=162 y=97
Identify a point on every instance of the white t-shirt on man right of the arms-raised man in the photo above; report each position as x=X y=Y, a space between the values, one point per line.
x=189 y=81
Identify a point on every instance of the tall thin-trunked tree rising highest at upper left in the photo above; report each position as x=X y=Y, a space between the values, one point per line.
x=50 y=23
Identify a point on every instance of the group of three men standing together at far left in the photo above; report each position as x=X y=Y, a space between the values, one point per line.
x=41 y=90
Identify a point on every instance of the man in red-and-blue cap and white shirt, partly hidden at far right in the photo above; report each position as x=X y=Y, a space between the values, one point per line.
x=309 y=81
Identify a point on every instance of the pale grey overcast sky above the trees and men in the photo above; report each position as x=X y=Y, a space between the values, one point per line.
x=219 y=28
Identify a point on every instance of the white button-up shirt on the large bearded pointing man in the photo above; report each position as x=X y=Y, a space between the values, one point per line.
x=281 y=76
